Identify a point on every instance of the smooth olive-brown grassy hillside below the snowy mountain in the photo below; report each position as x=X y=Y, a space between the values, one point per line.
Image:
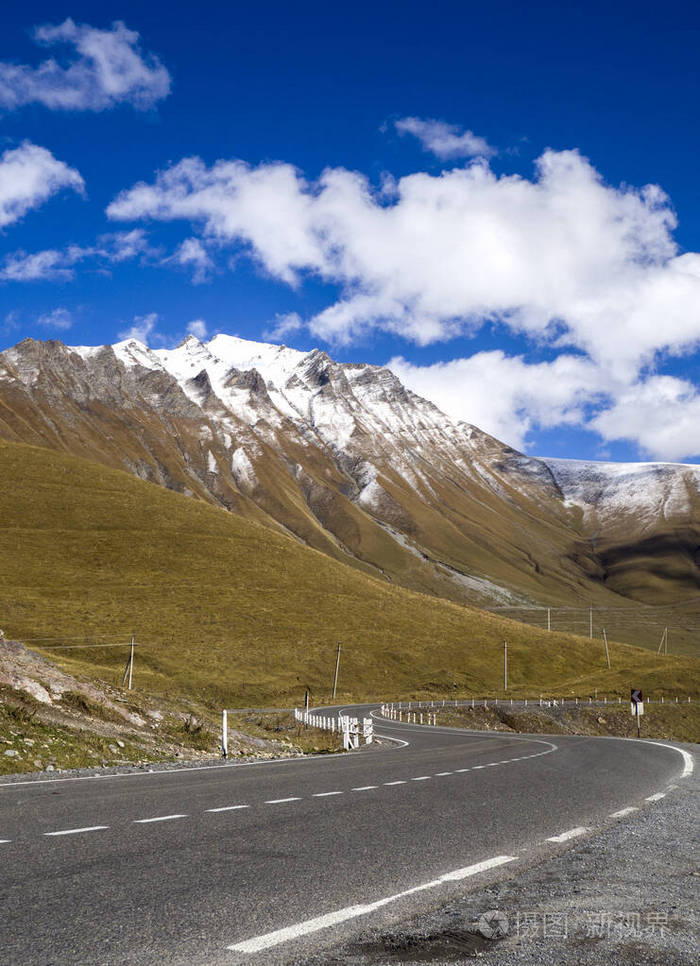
x=229 y=611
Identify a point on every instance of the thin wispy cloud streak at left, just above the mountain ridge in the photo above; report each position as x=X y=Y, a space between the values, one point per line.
x=59 y=264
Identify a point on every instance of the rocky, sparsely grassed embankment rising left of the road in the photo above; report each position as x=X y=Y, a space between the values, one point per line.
x=51 y=721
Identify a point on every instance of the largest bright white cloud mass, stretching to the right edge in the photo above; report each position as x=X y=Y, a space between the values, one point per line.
x=563 y=259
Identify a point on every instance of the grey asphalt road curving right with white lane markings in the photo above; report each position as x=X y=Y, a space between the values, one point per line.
x=278 y=858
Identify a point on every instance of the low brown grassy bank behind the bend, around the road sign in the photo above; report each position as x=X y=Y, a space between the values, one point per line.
x=680 y=722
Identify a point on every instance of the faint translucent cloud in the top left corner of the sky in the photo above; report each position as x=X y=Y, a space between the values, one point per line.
x=106 y=68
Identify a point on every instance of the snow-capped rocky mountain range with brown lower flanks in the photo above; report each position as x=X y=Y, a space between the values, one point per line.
x=348 y=460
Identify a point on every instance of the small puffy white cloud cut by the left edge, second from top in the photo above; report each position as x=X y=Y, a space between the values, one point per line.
x=29 y=176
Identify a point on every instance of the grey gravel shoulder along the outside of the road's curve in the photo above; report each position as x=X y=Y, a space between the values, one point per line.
x=626 y=895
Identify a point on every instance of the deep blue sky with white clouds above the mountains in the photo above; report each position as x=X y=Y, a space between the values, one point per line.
x=457 y=190
